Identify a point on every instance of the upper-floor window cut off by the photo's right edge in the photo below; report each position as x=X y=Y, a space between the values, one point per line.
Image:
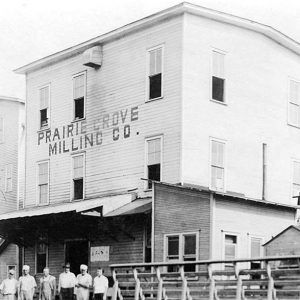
x=294 y=103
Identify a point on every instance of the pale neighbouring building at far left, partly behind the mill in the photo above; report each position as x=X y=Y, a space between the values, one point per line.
x=12 y=130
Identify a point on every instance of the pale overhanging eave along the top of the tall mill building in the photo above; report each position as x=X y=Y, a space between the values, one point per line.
x=168 y=13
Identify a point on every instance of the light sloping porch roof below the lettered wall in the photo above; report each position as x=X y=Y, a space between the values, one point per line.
x=107 y=203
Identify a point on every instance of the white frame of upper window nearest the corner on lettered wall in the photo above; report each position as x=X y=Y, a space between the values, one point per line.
x=160 y=46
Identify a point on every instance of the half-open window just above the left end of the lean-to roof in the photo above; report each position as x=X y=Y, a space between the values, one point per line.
x=153 y=157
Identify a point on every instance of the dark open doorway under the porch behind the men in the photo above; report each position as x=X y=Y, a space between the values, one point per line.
x=77 y=253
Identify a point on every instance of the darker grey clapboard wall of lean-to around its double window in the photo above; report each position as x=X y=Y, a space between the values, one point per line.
x=177 y=211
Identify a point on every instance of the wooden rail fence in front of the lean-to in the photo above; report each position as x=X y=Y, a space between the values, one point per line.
x=270 y=278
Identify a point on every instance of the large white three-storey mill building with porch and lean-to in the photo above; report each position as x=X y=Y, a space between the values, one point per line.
x=203 y=104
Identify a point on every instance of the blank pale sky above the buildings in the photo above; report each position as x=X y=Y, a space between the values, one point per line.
x=32 y=29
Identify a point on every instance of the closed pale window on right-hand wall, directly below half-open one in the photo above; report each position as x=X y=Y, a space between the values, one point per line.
x=217 y=165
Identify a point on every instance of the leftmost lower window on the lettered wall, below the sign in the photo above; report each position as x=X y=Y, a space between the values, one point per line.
x=43 y=183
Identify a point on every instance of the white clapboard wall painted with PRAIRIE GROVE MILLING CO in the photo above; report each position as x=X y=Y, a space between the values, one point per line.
x=119 y=84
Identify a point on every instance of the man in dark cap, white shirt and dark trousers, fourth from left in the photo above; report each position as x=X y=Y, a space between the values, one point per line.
x=66 y=283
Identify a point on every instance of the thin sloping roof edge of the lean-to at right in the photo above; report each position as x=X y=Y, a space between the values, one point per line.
x=225 y=194
